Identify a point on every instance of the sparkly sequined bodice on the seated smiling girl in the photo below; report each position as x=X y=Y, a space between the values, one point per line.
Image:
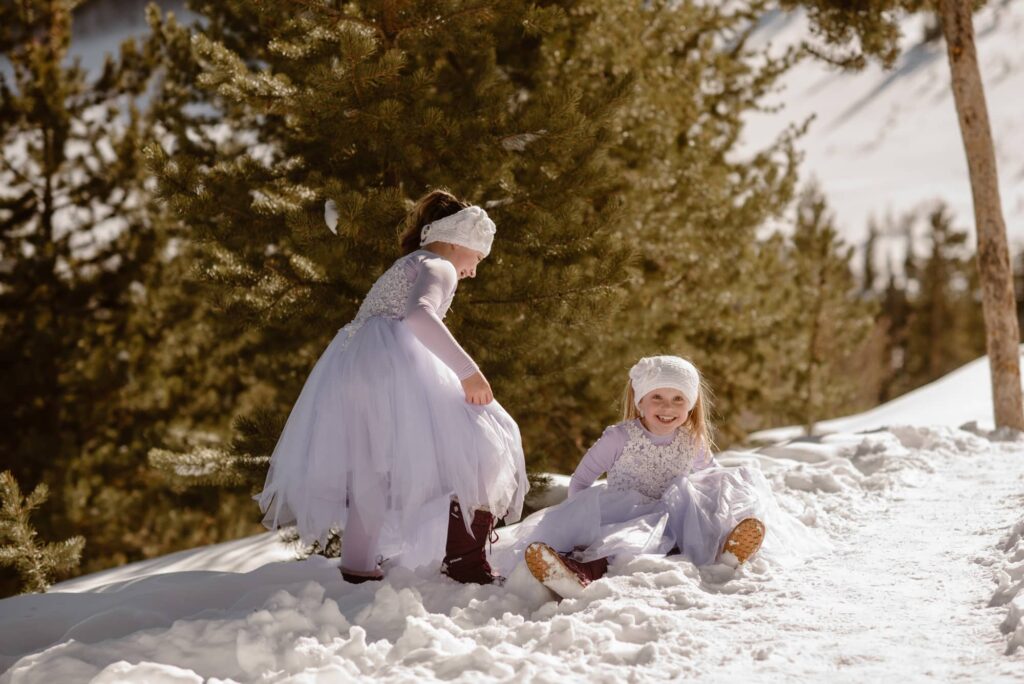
x=650 y=468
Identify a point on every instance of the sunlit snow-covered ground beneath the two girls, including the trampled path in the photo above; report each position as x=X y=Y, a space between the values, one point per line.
x=924 y=582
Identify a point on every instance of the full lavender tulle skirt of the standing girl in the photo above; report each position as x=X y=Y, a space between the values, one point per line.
x=382 y=425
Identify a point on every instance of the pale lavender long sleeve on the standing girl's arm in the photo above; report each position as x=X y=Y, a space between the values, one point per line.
x=436 y=282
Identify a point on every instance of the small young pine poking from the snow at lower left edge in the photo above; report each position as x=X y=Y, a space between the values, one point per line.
x=36 y=564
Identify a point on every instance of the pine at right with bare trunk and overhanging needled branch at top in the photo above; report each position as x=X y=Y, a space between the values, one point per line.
x=852 y=34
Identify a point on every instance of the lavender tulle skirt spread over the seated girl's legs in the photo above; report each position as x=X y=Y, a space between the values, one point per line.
x=696 y=515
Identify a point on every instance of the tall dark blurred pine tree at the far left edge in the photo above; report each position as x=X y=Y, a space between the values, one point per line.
x=70 y=177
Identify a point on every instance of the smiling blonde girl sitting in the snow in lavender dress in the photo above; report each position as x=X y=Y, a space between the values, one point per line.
x=666 y=493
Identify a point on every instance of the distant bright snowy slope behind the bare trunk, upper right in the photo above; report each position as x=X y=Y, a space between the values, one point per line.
x=886 y=142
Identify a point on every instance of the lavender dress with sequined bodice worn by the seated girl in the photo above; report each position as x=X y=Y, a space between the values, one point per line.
x=663 y=493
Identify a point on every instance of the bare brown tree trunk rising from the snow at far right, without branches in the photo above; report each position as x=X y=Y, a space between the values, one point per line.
x=1002 y=336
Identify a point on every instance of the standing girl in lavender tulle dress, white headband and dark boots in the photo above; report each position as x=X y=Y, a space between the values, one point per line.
x=396 y=438
